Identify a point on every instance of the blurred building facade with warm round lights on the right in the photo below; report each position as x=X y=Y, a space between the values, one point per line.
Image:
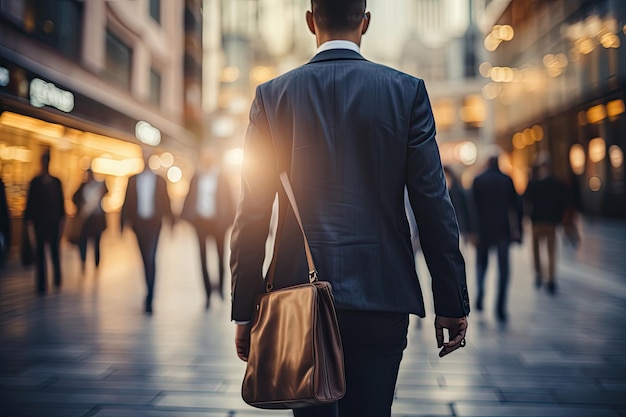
x=558 y=90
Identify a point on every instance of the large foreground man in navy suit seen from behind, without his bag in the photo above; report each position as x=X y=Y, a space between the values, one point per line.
x=351 y=135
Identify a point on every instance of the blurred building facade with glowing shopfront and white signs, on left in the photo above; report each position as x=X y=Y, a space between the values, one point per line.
x=93 y=81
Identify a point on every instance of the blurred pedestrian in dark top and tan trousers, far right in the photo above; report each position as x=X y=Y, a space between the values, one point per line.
x=546 y=201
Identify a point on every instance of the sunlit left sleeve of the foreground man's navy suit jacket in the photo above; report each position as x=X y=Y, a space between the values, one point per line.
x=251 y=226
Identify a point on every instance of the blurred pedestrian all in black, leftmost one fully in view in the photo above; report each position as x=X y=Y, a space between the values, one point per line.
x=45 y=212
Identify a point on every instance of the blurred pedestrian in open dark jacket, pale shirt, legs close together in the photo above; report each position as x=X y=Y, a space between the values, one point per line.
x=146 y=205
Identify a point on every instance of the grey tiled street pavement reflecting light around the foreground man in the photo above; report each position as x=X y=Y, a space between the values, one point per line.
x=87 y=349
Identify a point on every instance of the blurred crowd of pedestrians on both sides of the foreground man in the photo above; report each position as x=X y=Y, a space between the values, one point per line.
x=490 y=214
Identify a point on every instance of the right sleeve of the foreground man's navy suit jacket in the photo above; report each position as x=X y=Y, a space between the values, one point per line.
x=434 y=213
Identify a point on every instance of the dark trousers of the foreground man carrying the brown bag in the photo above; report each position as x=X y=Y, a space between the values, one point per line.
x=373 y=343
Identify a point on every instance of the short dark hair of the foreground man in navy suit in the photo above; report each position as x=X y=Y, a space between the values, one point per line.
x=338 y=15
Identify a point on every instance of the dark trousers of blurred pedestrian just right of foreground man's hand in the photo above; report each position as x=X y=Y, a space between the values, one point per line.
x=482 y=258
